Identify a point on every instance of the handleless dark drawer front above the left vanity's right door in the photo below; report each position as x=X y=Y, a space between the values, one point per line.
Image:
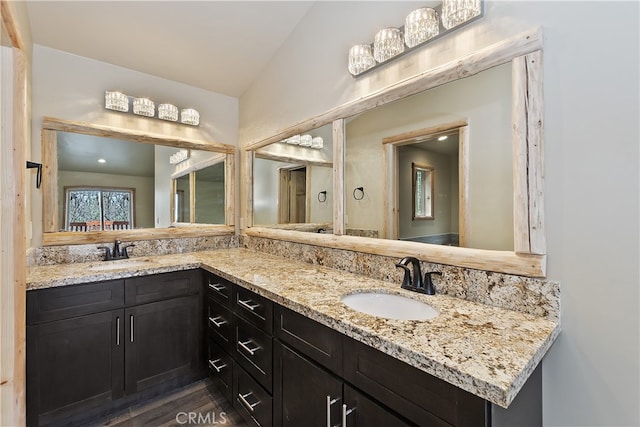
x=157 y=287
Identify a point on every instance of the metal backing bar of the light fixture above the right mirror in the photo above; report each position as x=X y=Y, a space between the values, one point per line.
x=357 y=71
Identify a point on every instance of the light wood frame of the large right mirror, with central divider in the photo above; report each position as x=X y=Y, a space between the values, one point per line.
x=528 y=258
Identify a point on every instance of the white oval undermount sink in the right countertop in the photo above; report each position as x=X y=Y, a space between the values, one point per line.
x=390 y=306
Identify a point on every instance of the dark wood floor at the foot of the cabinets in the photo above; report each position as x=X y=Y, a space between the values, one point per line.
x=198 y=404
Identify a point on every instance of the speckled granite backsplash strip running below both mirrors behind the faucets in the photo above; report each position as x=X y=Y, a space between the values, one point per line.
x=539 y=297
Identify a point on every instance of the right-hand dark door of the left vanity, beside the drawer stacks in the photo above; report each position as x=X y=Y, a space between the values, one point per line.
x=162 y=343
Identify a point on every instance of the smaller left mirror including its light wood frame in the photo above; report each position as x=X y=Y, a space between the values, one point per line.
x=143 y=163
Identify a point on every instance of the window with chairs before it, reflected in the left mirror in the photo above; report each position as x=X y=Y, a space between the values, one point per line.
x=95 y=209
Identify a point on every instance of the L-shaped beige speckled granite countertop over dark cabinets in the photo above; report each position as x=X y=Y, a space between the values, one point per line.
x=484 y=350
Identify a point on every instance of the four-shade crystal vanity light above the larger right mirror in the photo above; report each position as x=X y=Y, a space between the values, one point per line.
x=421 y=26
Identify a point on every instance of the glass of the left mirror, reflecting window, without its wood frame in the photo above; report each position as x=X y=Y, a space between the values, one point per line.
x=110 y=184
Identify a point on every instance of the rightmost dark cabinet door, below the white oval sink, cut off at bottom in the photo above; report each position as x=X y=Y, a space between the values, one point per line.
x=364 y=412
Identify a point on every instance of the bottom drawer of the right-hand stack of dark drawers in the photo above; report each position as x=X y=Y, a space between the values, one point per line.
x=251 y=400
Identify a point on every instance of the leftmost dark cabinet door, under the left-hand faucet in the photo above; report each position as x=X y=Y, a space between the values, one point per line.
x=74 y=365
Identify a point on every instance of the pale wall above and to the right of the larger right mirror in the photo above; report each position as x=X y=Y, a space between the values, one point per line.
x=591 y=78
